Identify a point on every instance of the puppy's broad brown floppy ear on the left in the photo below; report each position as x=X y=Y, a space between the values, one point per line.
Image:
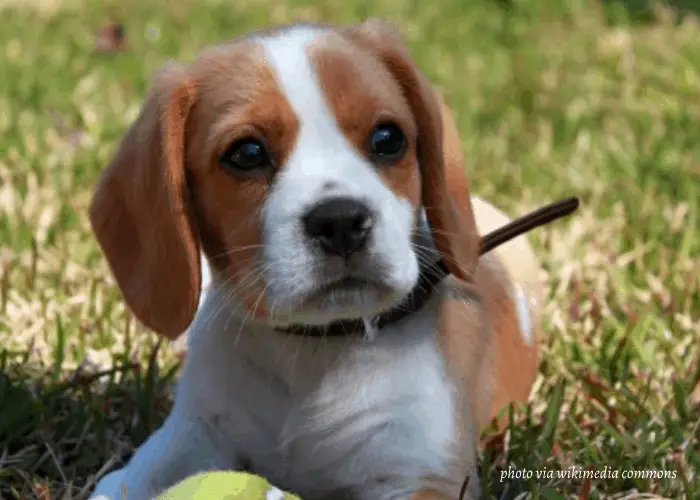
x=141 y=215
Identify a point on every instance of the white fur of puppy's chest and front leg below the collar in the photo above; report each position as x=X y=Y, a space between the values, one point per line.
x=309 y=414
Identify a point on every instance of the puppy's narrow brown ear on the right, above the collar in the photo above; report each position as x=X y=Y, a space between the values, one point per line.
x=451 y=220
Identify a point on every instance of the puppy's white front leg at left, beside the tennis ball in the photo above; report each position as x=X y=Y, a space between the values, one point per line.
x=180 y=448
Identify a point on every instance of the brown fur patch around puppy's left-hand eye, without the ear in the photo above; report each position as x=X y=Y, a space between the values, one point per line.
x=241 y=98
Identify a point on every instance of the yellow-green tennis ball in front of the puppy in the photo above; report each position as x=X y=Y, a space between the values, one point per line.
x=225 y=485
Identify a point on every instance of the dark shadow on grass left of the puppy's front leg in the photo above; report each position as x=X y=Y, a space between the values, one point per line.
x=56 y=433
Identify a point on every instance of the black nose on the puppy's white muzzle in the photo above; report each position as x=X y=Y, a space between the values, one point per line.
x=340 y=225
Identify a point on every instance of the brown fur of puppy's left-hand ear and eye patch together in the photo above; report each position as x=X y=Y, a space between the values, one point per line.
x=165 y=187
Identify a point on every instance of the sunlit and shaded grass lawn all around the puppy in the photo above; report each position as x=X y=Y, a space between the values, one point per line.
x=553 y=98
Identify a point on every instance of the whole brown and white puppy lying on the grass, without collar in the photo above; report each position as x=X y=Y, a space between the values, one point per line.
x=316 y=171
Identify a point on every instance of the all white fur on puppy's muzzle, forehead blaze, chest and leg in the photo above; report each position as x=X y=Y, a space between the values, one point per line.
x=314 y=416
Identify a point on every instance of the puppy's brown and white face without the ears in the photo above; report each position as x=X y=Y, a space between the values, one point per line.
x=315 y=150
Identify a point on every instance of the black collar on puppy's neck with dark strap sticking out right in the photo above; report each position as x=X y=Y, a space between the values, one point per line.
x=432 y=274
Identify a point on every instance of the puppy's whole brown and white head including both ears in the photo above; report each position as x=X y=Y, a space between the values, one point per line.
x=298 y=160
